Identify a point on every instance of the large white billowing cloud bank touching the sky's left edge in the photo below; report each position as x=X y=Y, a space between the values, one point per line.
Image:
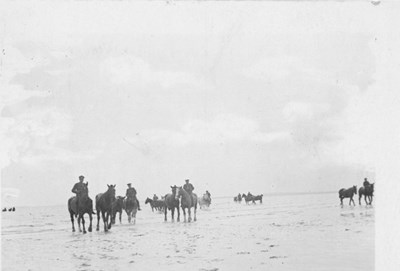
x=30 y=133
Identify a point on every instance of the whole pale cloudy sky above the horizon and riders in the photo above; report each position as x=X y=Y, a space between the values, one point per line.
x=261 y=97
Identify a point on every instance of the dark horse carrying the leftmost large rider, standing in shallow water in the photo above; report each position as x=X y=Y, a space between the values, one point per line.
x=85 y=206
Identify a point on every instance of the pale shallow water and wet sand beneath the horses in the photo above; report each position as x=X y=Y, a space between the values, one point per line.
x=296 y=232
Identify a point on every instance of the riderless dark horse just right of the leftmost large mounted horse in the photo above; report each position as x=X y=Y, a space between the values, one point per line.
x=104 y=205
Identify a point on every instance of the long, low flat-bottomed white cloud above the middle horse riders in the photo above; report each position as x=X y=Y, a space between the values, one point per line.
x=222 y=129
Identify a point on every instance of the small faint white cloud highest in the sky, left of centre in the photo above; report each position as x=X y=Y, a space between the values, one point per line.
x=134 y=70
